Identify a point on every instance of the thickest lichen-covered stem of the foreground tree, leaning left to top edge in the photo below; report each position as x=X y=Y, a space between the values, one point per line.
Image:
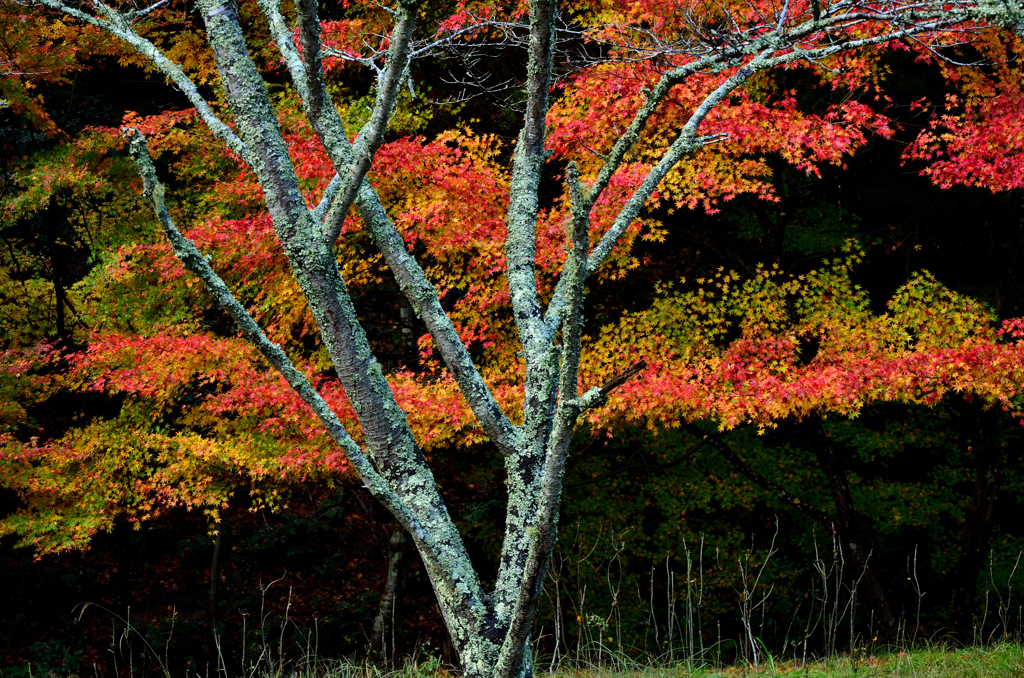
x=396 y=453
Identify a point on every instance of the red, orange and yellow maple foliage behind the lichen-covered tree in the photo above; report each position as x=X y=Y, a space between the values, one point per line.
x=203 y=418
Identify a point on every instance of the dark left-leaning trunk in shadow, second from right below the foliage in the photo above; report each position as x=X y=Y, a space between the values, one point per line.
x=848 y=534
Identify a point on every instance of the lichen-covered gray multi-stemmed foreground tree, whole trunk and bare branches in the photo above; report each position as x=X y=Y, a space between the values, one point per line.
x=490 y=629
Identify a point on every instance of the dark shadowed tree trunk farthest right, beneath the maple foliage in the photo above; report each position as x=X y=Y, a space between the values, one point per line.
x=991 y=459
